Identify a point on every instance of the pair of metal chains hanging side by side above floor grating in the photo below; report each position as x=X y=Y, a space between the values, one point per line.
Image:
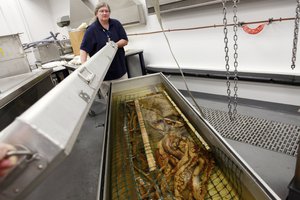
x=231 y=113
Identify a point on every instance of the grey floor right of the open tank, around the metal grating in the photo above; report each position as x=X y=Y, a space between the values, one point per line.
x=275 y=168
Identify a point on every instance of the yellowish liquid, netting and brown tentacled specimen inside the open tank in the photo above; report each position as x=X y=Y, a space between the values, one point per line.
x=157 y=154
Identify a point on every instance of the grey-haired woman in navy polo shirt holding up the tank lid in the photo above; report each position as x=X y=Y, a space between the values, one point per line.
x=103 y=30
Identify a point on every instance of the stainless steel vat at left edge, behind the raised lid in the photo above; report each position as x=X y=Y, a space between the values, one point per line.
x=18 y=93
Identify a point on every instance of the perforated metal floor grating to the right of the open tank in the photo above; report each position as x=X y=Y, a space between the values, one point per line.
x=271 y=135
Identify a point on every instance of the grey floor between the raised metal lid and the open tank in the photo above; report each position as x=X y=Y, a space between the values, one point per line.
x=76 y=178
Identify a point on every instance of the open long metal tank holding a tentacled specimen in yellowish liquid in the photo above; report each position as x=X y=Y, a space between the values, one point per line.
x=158 y=146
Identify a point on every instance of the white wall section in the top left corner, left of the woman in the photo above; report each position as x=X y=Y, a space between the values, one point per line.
x=30 y=17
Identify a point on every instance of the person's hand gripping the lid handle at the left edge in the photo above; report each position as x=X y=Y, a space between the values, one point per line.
x=6 y=163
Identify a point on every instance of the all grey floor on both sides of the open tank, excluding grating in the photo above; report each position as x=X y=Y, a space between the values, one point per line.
x=77 y=177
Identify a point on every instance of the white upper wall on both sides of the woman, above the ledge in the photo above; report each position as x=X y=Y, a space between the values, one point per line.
x=268 y=51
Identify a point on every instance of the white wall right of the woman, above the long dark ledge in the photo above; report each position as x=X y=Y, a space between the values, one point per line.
x=268 y=51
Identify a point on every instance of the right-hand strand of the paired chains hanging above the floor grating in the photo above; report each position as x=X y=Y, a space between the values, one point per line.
x=235 y=47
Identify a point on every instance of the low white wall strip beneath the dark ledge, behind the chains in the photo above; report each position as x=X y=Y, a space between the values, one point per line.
x=275 y=93
